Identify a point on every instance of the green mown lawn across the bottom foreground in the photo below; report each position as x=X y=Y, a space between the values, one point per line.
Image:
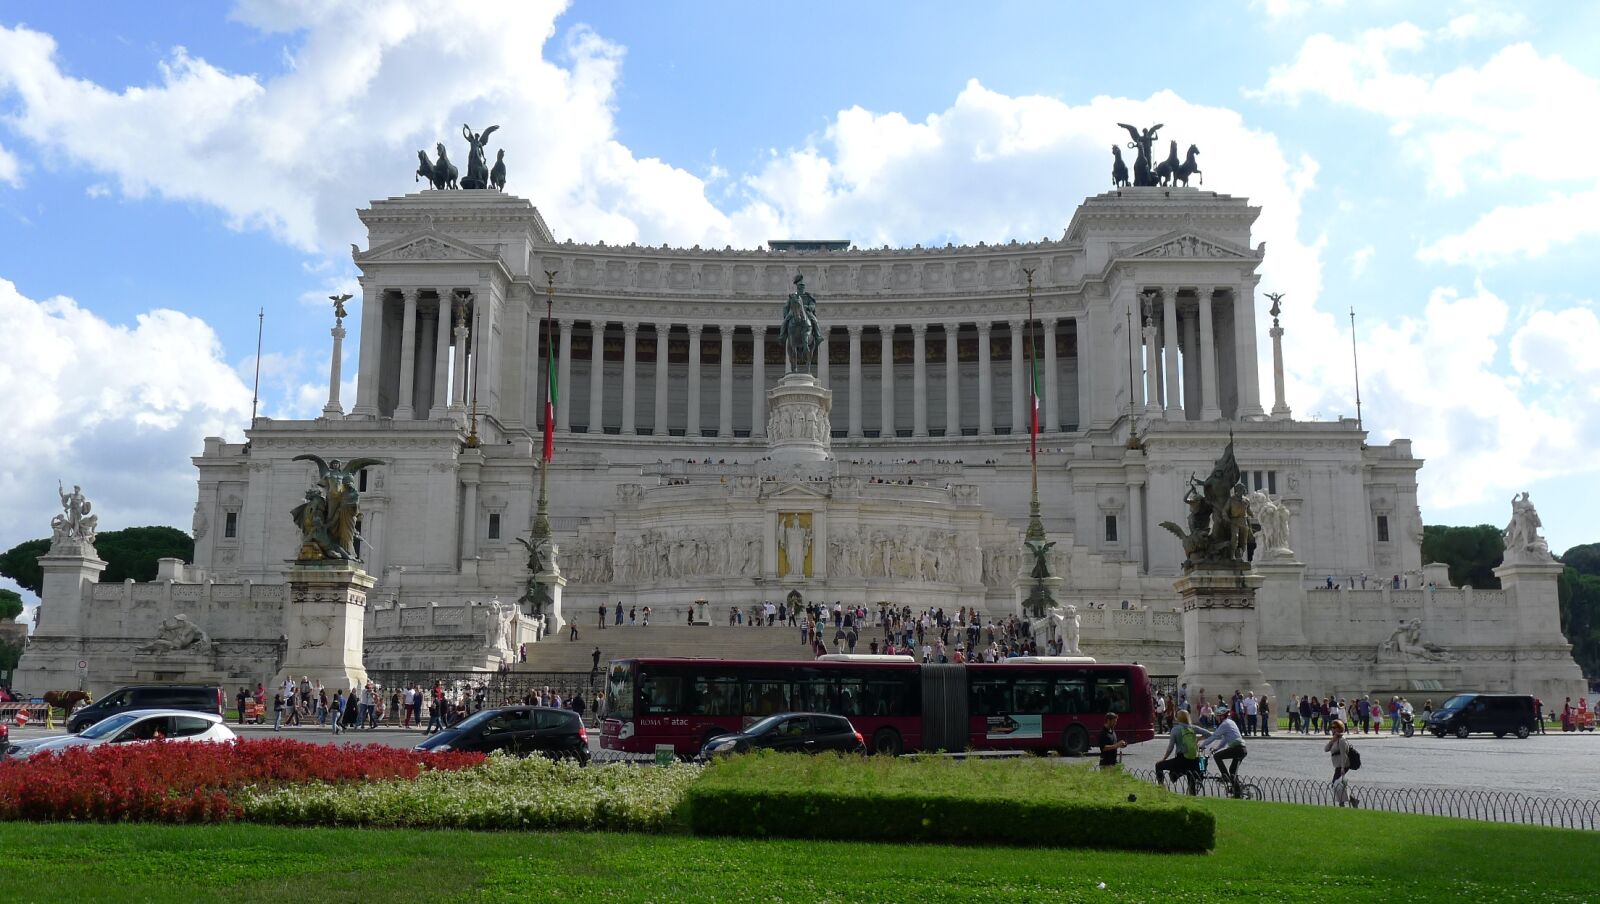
x=1265 y=852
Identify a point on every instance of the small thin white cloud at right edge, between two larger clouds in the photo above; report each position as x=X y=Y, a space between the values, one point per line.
x=1514 y=233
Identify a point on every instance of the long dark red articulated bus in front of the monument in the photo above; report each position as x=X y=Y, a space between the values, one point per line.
x=898 y=705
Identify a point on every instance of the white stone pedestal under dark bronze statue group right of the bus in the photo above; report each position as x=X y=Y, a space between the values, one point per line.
x=1222 y=631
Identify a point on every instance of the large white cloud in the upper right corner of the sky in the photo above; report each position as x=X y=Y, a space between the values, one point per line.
x=1510 y=119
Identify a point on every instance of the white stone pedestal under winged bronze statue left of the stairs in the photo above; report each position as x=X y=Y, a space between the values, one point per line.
x=326 y=625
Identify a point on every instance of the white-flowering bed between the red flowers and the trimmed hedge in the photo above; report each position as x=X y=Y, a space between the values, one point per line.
x=502 y=794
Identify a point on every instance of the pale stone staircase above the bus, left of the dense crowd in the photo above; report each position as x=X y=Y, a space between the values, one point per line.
x=673 y=641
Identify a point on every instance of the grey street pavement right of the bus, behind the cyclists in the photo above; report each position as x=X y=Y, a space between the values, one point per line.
x=1554 y=766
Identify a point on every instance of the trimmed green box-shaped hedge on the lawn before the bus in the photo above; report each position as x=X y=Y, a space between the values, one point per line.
x=975 y=802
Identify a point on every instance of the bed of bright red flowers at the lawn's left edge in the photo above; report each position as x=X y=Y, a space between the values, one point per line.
x=191 y=783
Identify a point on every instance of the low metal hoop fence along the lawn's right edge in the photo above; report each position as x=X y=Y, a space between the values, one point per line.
x=1465 y=804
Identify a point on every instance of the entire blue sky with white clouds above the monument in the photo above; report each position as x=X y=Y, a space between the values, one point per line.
x=167 y=170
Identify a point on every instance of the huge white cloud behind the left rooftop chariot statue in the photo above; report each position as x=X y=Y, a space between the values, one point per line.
x=298 y=151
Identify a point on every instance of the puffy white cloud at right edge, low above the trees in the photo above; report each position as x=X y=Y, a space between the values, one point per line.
x=1484 y=428
